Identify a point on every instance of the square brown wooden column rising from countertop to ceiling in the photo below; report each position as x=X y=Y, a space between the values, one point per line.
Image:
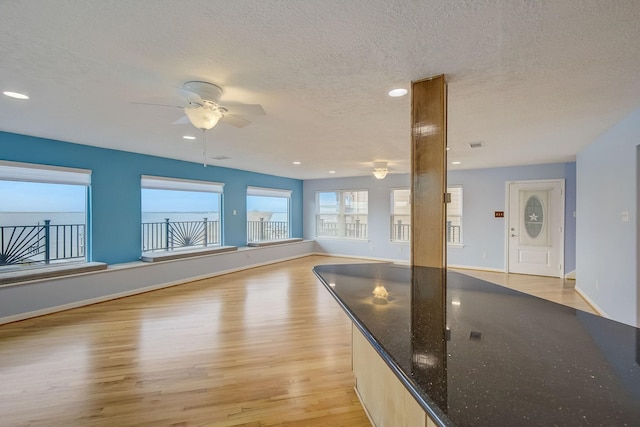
x=428 y=172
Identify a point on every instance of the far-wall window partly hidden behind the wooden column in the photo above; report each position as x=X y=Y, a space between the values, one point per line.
x=401 y=215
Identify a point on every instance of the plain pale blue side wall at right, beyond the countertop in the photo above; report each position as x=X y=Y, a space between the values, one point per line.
x=607 y=257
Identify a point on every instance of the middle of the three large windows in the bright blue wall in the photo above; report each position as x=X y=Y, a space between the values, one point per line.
x=180 y=213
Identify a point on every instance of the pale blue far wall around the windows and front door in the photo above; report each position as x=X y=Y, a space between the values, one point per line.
x=483 y=193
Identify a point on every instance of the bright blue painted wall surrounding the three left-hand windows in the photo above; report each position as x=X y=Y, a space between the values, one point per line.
x=115 y=190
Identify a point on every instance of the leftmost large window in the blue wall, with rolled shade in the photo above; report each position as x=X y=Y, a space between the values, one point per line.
x=43 y=215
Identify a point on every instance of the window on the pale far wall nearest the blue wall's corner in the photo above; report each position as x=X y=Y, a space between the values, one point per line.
x=342 y=214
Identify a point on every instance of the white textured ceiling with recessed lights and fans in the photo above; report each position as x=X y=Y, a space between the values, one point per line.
x=536 y=81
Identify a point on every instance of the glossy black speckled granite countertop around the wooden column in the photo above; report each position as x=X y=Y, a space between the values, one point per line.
x=477 y=354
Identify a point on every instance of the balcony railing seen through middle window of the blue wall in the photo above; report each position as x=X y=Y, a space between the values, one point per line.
x=169 y=235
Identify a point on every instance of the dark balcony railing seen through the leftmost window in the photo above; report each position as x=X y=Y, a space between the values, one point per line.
x=41 y=244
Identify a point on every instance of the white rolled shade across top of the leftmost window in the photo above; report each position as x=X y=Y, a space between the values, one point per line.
x=31 y=172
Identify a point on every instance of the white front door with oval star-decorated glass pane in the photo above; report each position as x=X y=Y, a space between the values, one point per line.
x=535 y=236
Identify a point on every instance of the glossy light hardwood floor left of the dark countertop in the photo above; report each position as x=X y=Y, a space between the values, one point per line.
x=266 y=346
